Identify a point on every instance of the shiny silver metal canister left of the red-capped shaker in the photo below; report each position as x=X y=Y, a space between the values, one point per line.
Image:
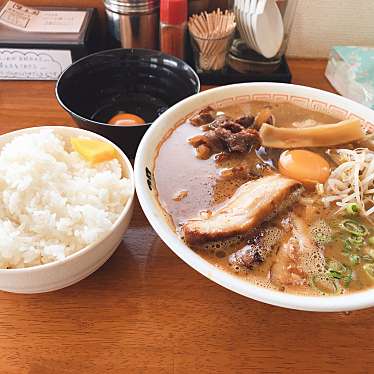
x=134 y=23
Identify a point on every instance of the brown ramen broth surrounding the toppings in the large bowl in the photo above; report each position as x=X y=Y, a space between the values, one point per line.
x=190 y=187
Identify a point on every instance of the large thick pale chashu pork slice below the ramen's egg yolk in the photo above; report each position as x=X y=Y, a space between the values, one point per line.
x=253 y=203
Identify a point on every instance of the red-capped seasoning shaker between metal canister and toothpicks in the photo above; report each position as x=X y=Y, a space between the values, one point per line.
x=173 y=27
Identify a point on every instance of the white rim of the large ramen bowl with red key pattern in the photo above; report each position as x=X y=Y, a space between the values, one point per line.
x=306 y=97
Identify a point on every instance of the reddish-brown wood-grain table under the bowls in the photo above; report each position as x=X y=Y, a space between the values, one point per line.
x=146 y=311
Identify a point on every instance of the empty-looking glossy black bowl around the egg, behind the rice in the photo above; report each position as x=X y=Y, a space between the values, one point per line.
x=138 y=81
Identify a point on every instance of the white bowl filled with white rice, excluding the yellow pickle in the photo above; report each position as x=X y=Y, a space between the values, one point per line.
x=61 y=217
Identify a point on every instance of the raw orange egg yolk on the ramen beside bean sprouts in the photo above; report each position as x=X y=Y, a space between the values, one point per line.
x=307 y=167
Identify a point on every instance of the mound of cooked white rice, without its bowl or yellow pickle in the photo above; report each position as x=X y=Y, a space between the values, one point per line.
x=52 y=202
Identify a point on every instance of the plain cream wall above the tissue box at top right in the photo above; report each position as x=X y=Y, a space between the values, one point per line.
x=320 y=24
